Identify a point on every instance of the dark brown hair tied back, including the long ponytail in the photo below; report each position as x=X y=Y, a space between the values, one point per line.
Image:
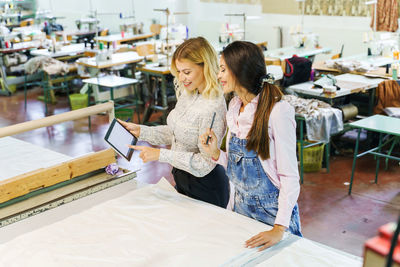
x=245 y=61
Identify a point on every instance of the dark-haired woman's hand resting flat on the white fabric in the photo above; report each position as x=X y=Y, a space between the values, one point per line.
x=266 y=239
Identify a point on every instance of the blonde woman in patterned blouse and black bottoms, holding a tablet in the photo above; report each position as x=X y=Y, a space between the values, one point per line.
x=195 y=68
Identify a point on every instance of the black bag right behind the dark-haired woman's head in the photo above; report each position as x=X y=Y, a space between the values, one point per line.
x=297 y=70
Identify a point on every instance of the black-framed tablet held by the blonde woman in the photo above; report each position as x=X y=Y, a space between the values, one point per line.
x=119 y=138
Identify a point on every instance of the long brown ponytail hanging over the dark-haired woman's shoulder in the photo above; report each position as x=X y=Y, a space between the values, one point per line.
x=258 y=136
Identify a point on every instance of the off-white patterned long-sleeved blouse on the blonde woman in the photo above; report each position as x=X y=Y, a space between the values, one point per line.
x=189 y=119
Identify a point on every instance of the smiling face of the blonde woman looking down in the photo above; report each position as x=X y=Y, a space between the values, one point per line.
x=191 y=75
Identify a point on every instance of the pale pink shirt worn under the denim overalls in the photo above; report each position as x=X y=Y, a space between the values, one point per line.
x=281 y=167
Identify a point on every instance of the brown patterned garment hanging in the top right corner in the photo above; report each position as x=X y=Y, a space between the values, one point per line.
x=387 y=15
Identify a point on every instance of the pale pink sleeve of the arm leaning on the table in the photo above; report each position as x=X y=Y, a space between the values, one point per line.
x=284 y=131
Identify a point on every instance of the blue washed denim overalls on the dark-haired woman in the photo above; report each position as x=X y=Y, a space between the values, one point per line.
x=255 y=194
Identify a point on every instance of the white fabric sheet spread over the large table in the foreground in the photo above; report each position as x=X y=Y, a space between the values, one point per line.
x=153 y=226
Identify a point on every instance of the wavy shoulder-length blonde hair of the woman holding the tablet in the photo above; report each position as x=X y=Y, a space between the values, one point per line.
x=199 y=51
